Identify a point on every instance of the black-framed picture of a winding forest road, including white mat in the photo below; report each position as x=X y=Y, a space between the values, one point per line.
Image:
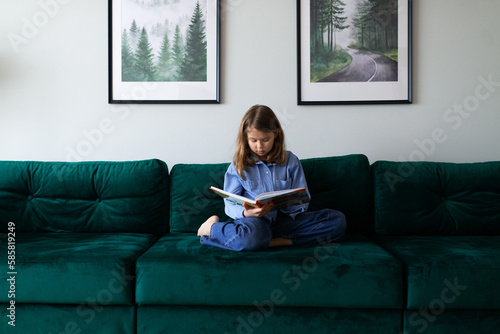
x=354 y=51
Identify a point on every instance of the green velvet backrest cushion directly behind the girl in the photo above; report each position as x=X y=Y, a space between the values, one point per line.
x=341 y=183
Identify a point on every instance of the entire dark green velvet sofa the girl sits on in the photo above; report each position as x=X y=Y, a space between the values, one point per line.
x=111 y=247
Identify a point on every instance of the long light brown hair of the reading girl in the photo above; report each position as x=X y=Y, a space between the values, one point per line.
x=260 y=118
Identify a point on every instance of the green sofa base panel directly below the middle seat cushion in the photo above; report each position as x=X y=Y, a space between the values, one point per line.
x=265 y=319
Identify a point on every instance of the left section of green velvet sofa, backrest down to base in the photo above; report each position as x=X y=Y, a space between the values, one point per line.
x=79 y=230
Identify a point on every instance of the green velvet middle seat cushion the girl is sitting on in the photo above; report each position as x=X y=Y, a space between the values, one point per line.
x=357 y=273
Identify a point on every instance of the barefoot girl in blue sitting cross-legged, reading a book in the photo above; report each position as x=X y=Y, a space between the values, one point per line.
x=261 y=164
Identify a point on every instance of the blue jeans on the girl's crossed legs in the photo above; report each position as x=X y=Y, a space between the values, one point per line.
x=251 y=234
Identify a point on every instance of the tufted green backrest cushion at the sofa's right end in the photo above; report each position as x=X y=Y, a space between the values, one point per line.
x=431 y=198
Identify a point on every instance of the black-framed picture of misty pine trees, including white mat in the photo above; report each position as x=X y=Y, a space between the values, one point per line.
x=164 y=51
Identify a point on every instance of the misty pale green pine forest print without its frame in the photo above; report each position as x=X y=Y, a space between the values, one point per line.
x=165 y=40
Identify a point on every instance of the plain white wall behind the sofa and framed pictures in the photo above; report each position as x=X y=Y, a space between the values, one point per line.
x=54 y=89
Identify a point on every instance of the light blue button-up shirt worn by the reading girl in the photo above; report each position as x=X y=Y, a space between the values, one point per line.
x=263 y=178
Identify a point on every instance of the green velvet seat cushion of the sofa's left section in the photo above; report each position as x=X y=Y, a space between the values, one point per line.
x=74 y=268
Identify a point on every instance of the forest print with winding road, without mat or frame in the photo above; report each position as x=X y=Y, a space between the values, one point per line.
x=354 y=40
